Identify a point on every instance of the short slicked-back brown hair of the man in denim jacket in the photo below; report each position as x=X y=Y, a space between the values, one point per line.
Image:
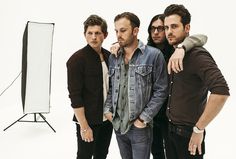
x=134 y=20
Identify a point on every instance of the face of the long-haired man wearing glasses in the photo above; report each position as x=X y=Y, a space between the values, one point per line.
x=157 y=32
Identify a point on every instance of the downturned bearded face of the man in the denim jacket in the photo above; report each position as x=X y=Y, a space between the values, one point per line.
x=124 y=32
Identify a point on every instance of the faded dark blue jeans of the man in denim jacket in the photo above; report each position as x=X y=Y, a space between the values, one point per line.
x=136 y=143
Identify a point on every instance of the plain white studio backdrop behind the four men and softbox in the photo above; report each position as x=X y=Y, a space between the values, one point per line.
x=213 y=18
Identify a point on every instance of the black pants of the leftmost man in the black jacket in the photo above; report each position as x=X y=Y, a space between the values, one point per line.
x=98 y=149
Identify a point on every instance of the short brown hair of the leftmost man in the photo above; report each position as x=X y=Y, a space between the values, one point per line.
x=93 y=20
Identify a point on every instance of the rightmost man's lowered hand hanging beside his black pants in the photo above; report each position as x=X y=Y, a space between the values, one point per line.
x=195 y=143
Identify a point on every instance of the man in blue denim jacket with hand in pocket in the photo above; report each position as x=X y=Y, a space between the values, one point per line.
x=138 y=89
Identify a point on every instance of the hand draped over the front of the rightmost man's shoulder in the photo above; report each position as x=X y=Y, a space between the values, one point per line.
x=176 y=61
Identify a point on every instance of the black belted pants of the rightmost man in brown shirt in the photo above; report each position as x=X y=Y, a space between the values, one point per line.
x=177 y=143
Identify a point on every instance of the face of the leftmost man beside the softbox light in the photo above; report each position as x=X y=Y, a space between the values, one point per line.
x=94 y=36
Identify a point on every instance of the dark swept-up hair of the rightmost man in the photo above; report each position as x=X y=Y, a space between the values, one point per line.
x=179 y=10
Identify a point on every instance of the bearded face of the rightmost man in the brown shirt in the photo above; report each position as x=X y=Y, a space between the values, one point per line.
x=174 y=29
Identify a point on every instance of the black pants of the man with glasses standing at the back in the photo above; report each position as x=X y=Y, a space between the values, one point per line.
x=160 y=129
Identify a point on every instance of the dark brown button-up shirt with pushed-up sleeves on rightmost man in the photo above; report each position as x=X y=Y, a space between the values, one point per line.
x=189 y=88
